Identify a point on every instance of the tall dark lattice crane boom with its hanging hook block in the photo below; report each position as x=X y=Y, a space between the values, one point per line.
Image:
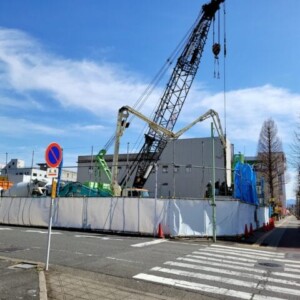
x=174 y=95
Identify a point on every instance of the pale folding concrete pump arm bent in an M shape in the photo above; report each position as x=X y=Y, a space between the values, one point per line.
x=122 y=124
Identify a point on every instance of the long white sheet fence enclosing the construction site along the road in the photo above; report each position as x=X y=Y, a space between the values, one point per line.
x=178 y=217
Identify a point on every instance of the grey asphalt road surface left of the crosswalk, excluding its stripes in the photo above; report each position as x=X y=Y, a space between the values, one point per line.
x=109 y=254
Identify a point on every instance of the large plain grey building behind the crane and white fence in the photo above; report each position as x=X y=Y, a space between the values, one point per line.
x=184 y=169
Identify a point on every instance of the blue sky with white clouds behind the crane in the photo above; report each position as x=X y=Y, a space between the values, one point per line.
x=66 y=66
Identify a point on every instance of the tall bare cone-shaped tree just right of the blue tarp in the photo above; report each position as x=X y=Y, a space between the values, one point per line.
x=270 y=155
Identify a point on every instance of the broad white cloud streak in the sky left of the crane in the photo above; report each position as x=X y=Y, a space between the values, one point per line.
x=99 y=88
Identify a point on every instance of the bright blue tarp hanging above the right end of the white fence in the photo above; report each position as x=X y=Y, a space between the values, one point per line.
x=245 y=183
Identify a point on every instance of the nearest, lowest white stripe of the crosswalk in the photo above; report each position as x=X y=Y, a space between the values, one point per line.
x=194 y=286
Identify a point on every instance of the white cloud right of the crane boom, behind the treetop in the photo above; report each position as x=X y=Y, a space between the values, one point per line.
x=247 y=109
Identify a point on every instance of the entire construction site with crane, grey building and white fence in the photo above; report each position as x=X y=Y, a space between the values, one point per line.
x=172 y=186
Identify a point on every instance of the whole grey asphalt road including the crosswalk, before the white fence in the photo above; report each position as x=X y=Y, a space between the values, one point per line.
x=187 y=268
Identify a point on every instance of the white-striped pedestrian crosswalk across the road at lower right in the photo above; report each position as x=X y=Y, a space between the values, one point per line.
x=231 y=272
